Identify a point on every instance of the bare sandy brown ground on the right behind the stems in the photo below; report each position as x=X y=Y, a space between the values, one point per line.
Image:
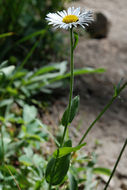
x=96 y=90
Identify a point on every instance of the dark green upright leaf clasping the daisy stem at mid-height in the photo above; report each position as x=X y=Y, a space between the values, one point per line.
x=74 y=108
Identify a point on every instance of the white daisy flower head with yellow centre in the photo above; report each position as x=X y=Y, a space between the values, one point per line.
x=70 y=18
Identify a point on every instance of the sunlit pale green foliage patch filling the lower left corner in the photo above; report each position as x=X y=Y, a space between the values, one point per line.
x=22 y=135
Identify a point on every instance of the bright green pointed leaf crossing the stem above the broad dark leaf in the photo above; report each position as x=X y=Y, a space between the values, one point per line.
x=67 y=150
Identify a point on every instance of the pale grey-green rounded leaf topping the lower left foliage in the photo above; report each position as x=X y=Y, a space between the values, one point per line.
x=29 y=113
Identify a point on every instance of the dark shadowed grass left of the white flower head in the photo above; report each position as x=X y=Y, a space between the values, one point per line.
x=24 y=23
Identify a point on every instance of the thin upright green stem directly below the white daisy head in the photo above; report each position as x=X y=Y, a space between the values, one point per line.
x=71 y=82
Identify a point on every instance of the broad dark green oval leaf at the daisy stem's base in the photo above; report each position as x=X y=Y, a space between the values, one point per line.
x=57 y=168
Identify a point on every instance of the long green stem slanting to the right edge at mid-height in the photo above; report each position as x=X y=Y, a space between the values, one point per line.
x=102 y=112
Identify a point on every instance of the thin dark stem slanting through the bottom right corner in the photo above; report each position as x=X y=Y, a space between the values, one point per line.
x=116 y=164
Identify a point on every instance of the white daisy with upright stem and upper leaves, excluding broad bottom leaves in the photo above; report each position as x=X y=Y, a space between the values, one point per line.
x=68 y=20
